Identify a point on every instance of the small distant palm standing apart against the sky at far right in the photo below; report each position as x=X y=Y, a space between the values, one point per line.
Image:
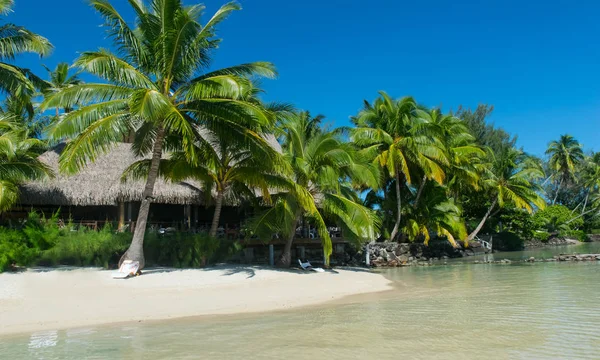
x=565 y=154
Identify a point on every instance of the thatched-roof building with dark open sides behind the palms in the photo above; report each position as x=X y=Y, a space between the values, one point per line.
x=97 y=194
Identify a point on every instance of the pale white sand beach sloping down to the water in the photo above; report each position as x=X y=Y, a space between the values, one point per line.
x=39 y=300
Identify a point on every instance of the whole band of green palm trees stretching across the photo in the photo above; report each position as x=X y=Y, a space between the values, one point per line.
x=402 y=172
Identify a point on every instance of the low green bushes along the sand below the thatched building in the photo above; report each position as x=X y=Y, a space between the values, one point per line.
x=44 y=242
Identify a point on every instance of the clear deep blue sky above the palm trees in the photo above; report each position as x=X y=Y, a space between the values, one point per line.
x=537 y=62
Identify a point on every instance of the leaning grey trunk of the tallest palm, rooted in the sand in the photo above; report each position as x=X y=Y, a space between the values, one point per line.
x=136 y=249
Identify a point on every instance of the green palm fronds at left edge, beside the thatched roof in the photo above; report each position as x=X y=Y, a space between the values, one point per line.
x=18 y=160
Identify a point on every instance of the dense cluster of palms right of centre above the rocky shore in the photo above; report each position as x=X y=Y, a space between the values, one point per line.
x=433 y=163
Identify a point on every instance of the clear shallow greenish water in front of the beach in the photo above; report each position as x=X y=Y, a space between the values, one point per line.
x=462 y=311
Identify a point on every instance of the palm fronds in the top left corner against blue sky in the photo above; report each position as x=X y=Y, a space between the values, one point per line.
x=16 y=82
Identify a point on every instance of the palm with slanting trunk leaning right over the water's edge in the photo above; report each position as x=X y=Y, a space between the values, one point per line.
x=510 y=179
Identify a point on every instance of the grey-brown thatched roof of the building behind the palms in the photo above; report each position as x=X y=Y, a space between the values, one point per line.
x=99 y=183
